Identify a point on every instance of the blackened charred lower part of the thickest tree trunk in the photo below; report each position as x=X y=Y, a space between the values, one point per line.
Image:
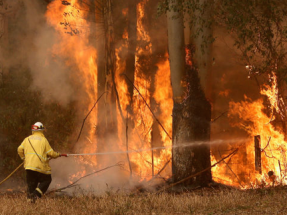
x=191 y=126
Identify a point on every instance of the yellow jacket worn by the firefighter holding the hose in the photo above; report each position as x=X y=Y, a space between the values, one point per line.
x=43 y=149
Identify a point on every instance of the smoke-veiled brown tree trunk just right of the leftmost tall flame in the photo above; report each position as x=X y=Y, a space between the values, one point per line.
x=107 y=111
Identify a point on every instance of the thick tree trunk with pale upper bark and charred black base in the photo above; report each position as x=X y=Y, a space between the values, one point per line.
x=191 y=115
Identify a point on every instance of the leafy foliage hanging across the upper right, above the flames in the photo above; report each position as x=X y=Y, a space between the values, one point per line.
x=259 y=28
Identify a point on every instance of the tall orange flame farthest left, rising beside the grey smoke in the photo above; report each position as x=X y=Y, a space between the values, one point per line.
x=73 y=47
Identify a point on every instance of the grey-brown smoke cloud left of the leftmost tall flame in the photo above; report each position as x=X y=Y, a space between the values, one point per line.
x=33 y=40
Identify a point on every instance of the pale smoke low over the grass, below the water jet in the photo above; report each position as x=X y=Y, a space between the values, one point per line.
x=69 y=170
